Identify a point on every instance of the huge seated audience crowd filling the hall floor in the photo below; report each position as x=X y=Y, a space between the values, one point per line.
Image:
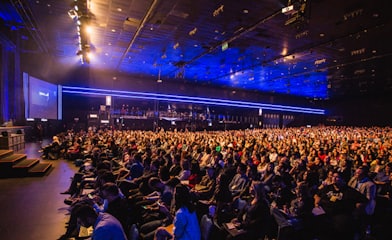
x=294 y=183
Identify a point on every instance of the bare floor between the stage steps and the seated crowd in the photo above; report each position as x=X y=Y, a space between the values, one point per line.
x=32 y=208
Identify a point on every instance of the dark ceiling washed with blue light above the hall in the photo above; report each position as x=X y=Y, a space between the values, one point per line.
x=326 y=50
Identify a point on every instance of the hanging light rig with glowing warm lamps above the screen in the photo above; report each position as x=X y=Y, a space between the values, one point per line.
x=80 y=13
